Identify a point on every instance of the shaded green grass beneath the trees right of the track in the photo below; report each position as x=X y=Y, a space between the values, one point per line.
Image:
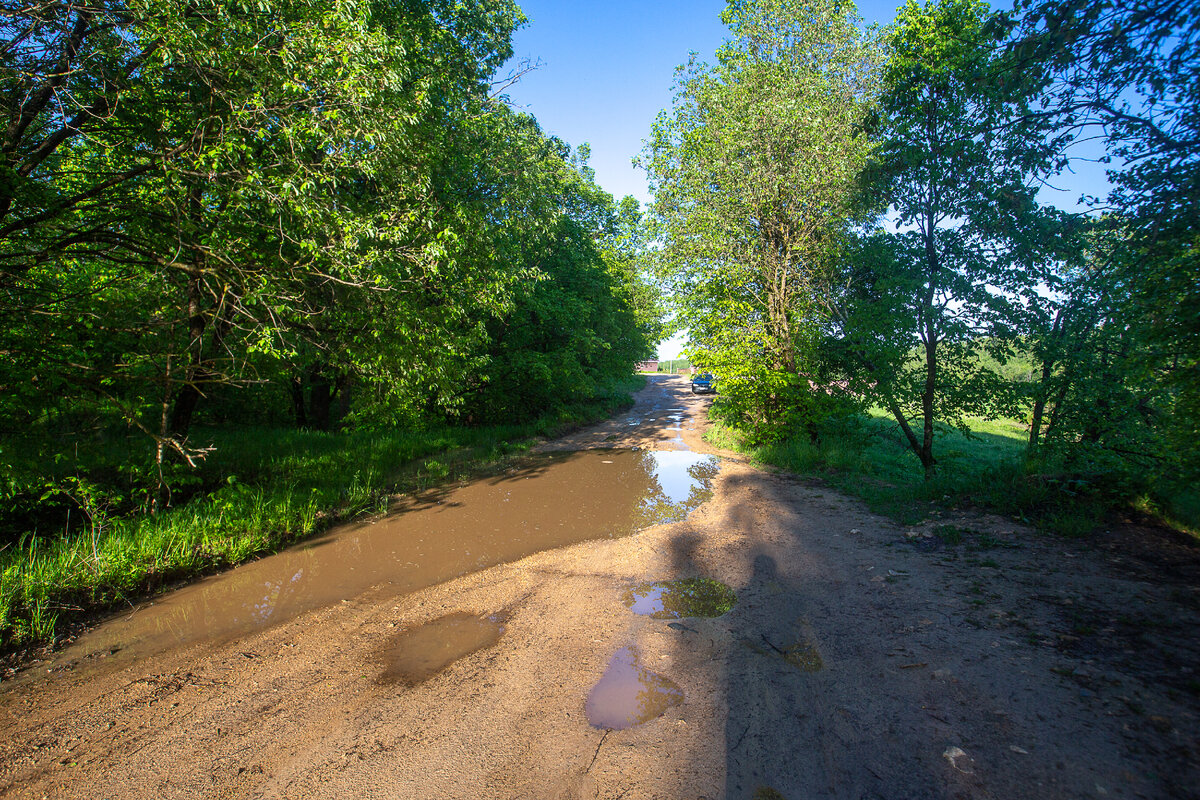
x=866 y=458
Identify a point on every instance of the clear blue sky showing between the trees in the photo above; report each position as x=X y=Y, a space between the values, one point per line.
x=608 y=69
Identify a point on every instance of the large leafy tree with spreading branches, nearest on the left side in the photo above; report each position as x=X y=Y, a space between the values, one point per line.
x=235 y=170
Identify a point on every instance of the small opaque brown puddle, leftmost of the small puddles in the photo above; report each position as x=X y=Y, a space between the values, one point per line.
x=416 y=655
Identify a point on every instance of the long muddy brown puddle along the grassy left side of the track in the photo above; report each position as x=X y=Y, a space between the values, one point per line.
x=544 y=503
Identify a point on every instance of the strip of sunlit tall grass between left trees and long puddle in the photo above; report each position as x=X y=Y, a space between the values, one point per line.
x=277 y=488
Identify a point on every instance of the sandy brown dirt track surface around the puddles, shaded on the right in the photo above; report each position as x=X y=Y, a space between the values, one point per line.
x=1007 y=665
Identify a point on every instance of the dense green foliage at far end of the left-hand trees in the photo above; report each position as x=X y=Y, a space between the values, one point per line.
x=584 y=323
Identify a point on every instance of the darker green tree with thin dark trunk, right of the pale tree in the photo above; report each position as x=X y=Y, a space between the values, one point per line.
x=958 y=165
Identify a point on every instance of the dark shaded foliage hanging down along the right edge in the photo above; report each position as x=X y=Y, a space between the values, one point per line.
x=1130 y=75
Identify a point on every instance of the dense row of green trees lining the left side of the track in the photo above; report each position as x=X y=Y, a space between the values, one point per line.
x=275 y=213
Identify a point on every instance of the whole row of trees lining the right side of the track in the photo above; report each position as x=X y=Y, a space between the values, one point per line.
x=855 y=218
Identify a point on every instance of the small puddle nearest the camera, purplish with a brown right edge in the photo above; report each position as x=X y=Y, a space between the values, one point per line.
x=629 y=695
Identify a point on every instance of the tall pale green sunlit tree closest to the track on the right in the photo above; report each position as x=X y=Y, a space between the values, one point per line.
x=754 y=188
